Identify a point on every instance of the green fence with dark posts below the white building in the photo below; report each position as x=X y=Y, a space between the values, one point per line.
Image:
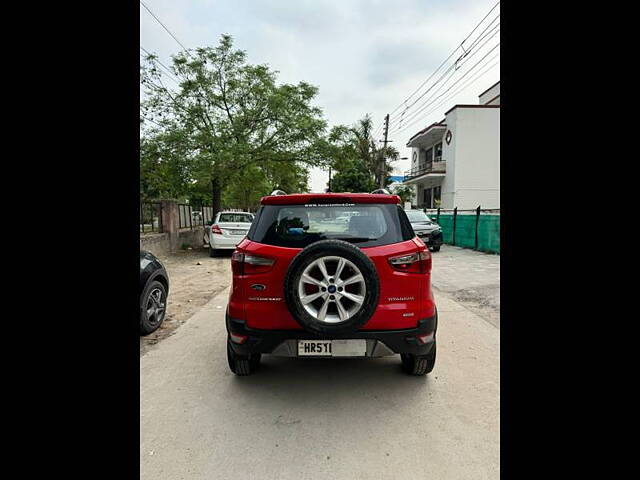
x=477 y=229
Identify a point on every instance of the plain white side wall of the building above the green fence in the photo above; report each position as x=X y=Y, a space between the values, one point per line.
x=473 y=159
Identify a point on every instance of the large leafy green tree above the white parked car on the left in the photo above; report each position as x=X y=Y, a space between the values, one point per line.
x=228 y=122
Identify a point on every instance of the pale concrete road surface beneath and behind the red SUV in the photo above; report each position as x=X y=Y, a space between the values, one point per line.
x=320 y=419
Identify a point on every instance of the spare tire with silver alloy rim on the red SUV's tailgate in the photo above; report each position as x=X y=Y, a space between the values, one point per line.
x=331 y=288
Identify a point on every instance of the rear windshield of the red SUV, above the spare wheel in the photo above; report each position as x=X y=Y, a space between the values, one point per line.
x=297 y=226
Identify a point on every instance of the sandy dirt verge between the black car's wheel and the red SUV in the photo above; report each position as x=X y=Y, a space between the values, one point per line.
x=191 y=287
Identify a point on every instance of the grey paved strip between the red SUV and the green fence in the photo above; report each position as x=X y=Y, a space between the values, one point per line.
x=472 y=278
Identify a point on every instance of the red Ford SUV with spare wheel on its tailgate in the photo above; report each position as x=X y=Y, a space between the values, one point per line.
x=331 y=275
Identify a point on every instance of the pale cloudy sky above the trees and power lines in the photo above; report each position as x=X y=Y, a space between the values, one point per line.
x=364 y=56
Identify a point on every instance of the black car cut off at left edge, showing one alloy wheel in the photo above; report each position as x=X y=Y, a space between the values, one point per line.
x=154 y=288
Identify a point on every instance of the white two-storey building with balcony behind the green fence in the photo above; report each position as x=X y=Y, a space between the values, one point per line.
x=456 y=162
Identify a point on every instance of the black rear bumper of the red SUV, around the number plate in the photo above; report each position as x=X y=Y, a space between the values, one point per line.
x=379 y=342
